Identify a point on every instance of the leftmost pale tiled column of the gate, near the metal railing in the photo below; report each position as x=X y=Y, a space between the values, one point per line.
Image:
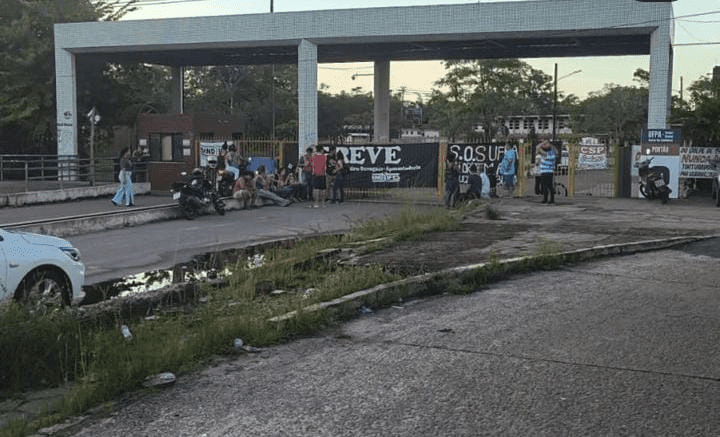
x=66 y=100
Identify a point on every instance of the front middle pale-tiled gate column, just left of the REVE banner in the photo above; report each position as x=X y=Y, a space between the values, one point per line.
x=307 y=96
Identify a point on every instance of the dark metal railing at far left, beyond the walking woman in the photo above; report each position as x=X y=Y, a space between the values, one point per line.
x=62 y=171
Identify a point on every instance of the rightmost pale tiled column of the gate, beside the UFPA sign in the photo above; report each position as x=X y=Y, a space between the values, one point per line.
x=661 y=63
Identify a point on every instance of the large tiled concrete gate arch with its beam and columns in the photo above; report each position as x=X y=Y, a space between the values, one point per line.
x=528 y=29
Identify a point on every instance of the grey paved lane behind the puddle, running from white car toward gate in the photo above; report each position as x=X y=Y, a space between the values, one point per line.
x=112 y=254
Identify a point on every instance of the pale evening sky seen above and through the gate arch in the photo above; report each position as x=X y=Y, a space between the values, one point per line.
x=696 y=47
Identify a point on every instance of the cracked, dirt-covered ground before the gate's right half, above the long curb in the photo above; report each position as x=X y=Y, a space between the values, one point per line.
x=526 y=227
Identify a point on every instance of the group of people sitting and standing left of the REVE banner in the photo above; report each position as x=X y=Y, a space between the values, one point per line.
x=323 y=178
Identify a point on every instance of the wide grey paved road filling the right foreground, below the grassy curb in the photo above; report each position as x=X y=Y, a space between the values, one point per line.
x=624 y=346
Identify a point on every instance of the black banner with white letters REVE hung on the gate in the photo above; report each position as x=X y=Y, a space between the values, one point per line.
x=404 y=165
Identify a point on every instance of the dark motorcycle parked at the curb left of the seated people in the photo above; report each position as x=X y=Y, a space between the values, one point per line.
x=195 y=193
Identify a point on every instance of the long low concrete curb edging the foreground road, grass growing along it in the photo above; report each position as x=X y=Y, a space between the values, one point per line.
x=474 y=274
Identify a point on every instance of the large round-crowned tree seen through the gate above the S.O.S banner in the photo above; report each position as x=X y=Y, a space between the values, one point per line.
x=481 y=91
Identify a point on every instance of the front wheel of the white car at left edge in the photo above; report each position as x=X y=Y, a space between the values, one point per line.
x=45 y=288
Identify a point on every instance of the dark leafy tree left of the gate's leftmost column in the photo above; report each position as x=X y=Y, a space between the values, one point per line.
x=27 y=56
